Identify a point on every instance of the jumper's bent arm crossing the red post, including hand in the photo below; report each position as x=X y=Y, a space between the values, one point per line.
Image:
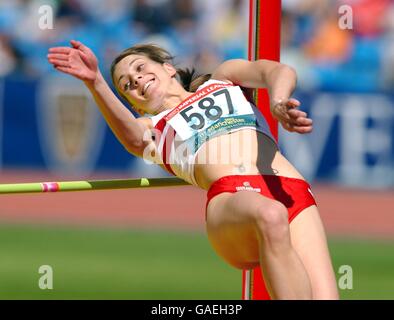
x=279 y=79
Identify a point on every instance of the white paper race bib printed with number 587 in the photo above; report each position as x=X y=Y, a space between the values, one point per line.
x=216 y=107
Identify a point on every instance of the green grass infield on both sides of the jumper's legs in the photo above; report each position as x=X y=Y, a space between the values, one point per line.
x=128 y=264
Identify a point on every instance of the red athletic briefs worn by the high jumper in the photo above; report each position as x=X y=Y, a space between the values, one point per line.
x=295 y=194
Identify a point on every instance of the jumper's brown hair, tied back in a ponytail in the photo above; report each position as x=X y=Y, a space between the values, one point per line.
x=189 y=79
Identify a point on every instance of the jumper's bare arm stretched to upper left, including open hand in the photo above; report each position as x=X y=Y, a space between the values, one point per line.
x=80 y=62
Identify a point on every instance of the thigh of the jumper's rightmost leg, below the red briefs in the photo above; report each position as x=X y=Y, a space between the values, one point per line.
x=309 y=240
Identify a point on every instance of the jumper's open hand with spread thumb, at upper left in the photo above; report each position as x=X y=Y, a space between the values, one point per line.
x=77 y=60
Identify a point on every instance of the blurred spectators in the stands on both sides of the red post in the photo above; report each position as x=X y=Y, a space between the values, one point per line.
x=203 y=33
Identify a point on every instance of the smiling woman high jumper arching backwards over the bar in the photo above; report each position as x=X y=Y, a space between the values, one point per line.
x=260 y=210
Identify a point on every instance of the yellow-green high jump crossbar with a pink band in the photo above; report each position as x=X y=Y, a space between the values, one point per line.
x=67 y=186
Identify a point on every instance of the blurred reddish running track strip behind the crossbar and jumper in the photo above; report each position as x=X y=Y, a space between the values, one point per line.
x=345 y=211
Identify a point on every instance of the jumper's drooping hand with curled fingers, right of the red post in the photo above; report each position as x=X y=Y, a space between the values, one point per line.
x=291 y=119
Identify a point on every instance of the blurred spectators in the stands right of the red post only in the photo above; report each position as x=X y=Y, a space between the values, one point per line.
x=328 y=56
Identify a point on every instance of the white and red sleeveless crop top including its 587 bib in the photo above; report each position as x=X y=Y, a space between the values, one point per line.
x=216 y=108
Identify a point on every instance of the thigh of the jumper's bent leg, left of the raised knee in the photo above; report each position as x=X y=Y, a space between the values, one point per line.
x=231 y=226
